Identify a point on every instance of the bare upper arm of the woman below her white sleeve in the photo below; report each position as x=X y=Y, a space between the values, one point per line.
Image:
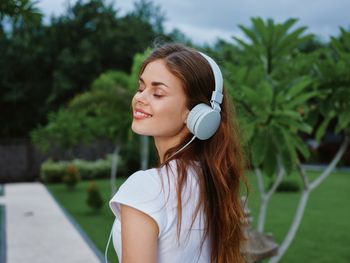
x=139 y=236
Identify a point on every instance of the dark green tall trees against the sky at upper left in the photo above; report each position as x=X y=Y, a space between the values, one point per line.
x=68 y=53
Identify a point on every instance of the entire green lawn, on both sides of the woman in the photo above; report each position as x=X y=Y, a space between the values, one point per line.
x=323 y=237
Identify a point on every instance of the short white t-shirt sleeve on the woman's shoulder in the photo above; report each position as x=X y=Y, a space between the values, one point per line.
x=142 y=191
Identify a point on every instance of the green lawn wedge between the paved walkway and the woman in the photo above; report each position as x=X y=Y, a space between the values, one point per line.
x=96 y=225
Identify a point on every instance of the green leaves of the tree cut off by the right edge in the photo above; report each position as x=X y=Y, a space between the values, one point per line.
x=333 y=78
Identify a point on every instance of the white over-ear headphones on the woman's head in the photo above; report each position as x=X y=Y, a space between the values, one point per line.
x=203 y=120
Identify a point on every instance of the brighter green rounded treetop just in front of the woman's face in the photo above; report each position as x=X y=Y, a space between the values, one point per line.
x=106 y=105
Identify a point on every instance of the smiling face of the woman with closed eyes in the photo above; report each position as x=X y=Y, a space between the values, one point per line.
x=159 y=106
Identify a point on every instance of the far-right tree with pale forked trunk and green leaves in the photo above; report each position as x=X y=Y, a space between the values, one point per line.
x=332 y=105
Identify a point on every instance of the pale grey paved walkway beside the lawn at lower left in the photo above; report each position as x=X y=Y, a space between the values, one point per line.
x=37 y=229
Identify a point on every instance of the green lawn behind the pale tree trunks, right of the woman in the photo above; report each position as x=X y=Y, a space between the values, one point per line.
x=324 y=234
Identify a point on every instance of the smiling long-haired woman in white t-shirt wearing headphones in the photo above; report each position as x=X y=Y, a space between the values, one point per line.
x=187 y=209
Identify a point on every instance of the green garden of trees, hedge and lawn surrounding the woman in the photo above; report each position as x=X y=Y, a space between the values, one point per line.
x=290 y=91
